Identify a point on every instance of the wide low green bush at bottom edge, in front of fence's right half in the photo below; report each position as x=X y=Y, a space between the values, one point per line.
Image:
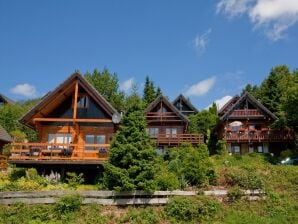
x=190 y=209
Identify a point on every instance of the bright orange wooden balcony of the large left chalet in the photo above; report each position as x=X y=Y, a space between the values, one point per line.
x=58 y=153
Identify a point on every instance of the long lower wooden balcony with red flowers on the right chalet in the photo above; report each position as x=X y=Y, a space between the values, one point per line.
x=260 y=136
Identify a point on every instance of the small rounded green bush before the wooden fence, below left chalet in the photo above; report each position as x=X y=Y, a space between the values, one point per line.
x=68 y=203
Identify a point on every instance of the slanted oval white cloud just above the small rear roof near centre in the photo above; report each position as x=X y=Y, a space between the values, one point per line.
x=201 y=87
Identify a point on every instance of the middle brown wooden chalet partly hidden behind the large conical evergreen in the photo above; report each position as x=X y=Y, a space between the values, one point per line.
x=167 y=125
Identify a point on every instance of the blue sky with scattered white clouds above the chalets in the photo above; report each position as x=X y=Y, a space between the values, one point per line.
x=207 y=50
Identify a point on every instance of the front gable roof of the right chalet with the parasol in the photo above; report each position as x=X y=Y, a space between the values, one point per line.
x=252 y=100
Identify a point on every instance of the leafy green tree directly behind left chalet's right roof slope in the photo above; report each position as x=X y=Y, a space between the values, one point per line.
x=107 y=84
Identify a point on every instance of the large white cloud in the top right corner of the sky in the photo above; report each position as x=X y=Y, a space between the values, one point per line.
x=273 y=17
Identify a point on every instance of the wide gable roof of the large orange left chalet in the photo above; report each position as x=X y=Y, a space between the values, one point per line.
x=53 y=98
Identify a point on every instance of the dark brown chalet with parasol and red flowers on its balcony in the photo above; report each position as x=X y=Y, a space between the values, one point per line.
x=244 y=125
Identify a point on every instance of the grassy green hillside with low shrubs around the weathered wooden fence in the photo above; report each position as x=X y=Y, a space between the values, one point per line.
x=280 y=204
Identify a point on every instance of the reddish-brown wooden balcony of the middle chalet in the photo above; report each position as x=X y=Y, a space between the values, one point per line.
x=175 y=140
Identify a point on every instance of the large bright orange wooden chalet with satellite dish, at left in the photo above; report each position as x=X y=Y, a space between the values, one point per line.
x=75 y=127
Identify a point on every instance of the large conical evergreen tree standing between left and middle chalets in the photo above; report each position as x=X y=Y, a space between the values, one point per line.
x=132 y=162
